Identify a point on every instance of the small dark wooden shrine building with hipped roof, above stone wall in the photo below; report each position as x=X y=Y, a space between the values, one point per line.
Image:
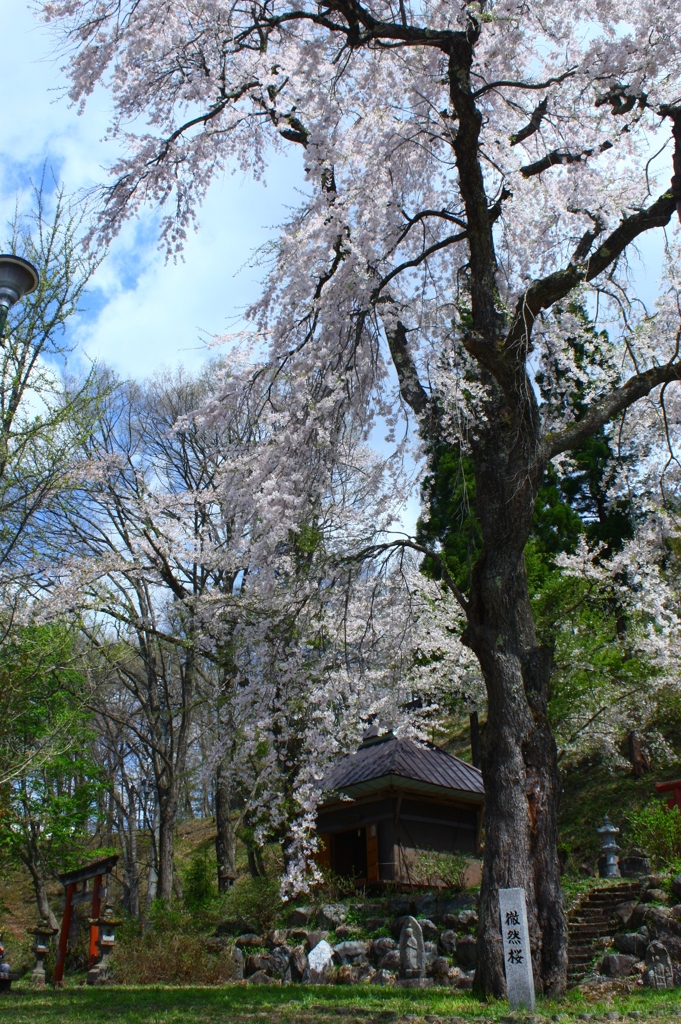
x=406 y=798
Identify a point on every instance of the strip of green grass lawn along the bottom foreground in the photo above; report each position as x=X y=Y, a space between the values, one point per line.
x=355 y=1005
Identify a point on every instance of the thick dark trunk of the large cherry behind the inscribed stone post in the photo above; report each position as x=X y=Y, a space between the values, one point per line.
x=519 y=753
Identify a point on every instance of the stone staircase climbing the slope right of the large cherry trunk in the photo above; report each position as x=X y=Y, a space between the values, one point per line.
x=590 y=920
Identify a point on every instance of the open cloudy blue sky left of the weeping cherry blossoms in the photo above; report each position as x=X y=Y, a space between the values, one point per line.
x=142 y=313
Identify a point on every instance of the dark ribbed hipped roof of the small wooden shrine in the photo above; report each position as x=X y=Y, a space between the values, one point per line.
x=386 y=760
